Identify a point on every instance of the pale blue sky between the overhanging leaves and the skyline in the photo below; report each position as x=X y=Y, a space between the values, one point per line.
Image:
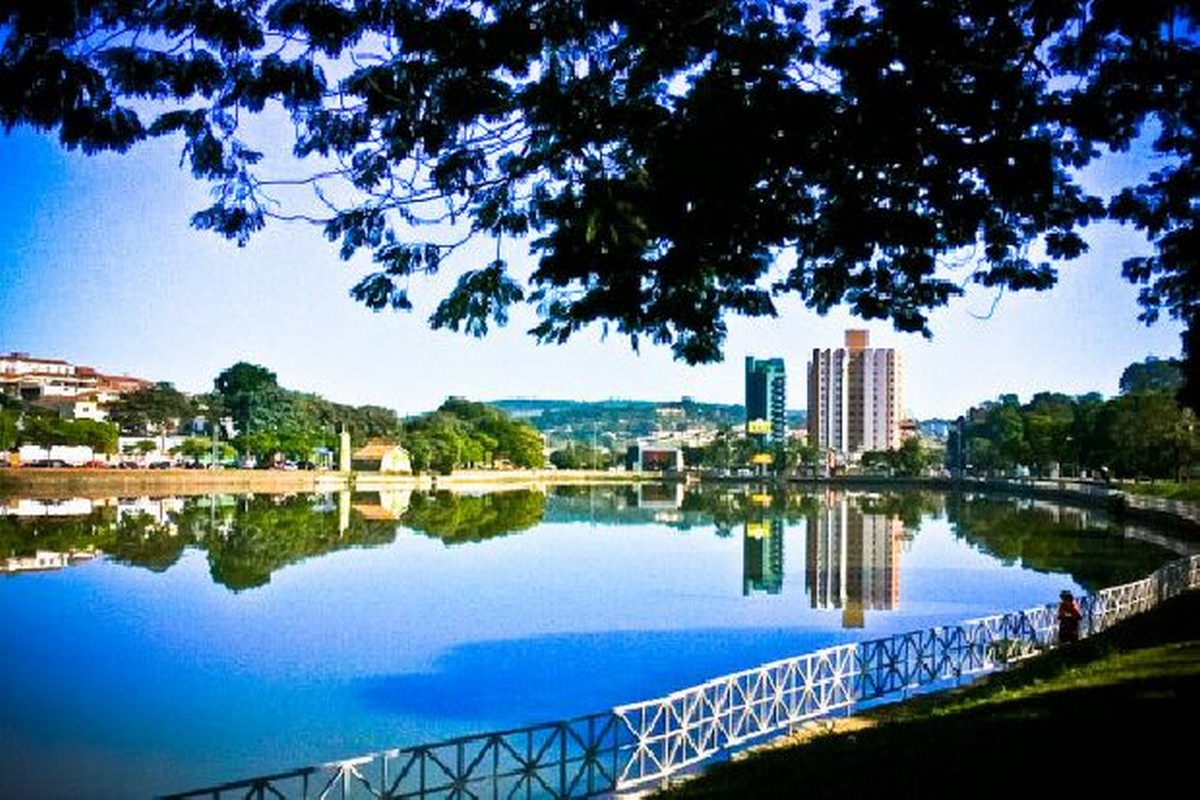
x=100 y=267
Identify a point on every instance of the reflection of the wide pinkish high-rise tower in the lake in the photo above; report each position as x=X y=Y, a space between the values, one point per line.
x=854 y=560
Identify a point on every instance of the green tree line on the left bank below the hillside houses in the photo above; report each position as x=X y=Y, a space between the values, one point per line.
x=249 y=418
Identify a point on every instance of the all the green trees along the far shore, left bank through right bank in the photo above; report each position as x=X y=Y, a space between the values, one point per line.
x=1142 y=432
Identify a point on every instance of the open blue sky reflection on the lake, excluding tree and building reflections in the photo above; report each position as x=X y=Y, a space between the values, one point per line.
x=166 y=682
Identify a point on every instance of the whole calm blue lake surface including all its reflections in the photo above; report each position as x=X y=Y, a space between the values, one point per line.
x=215 y=639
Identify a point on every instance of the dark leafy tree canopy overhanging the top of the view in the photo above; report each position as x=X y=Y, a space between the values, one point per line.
x=670 y=161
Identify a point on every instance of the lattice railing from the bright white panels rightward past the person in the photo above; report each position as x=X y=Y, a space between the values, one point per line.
x=692 y=726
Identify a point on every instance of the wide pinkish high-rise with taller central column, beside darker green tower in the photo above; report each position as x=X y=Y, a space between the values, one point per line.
x=855 y=398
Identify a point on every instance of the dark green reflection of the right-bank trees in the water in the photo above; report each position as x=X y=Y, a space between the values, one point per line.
x=1052 y=540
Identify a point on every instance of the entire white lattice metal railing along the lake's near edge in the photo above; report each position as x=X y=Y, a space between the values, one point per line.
x=627 y=750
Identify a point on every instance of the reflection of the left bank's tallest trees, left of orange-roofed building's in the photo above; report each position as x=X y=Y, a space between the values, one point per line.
x=268 y=533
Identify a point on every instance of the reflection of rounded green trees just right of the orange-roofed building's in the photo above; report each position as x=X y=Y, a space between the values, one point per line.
x=472 y=519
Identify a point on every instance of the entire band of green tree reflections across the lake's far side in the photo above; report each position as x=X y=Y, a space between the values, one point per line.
x=248 y=539
